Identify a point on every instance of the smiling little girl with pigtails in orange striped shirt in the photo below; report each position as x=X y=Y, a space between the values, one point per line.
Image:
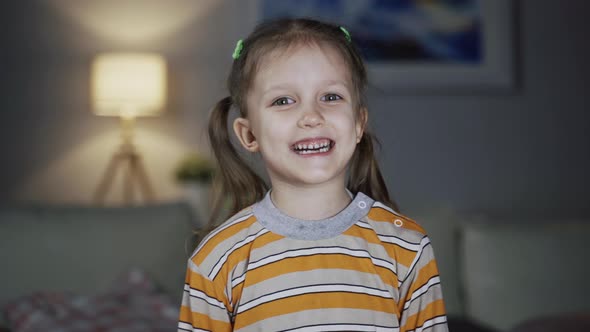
x=324 y=248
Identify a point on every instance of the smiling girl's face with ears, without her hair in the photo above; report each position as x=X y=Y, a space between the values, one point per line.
x=301 y=117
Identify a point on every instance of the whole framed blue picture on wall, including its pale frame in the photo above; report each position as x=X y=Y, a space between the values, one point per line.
x=410 y=46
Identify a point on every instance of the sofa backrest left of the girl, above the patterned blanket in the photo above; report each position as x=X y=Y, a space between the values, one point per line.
x=85 y=249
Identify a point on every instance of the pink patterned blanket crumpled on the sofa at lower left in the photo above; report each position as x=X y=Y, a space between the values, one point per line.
x=132 y=304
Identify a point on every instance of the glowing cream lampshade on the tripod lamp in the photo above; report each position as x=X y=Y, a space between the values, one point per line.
x=128 y=84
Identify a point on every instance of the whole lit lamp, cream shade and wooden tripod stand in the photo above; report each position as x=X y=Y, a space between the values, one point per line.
x=127 y=85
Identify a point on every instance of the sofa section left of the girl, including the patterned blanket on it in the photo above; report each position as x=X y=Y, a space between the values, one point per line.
x=82 y=268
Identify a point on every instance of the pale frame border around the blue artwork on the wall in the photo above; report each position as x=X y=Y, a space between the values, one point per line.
x=493 y=73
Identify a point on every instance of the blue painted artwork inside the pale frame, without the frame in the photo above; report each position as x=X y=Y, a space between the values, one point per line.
x=398 y=30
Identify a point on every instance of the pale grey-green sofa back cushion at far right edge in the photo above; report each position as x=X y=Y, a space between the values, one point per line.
x=514 y=271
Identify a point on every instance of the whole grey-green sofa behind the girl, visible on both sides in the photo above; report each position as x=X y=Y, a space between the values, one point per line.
x=498 y=274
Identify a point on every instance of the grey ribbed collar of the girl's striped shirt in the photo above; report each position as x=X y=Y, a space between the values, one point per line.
x=277 y=222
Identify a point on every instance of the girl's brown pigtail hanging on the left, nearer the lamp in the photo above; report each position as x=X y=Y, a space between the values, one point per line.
x=234 y=179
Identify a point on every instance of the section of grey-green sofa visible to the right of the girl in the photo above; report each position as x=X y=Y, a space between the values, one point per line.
x=510 y=273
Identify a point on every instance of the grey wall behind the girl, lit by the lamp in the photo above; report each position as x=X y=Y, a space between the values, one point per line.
x=525 y=151
